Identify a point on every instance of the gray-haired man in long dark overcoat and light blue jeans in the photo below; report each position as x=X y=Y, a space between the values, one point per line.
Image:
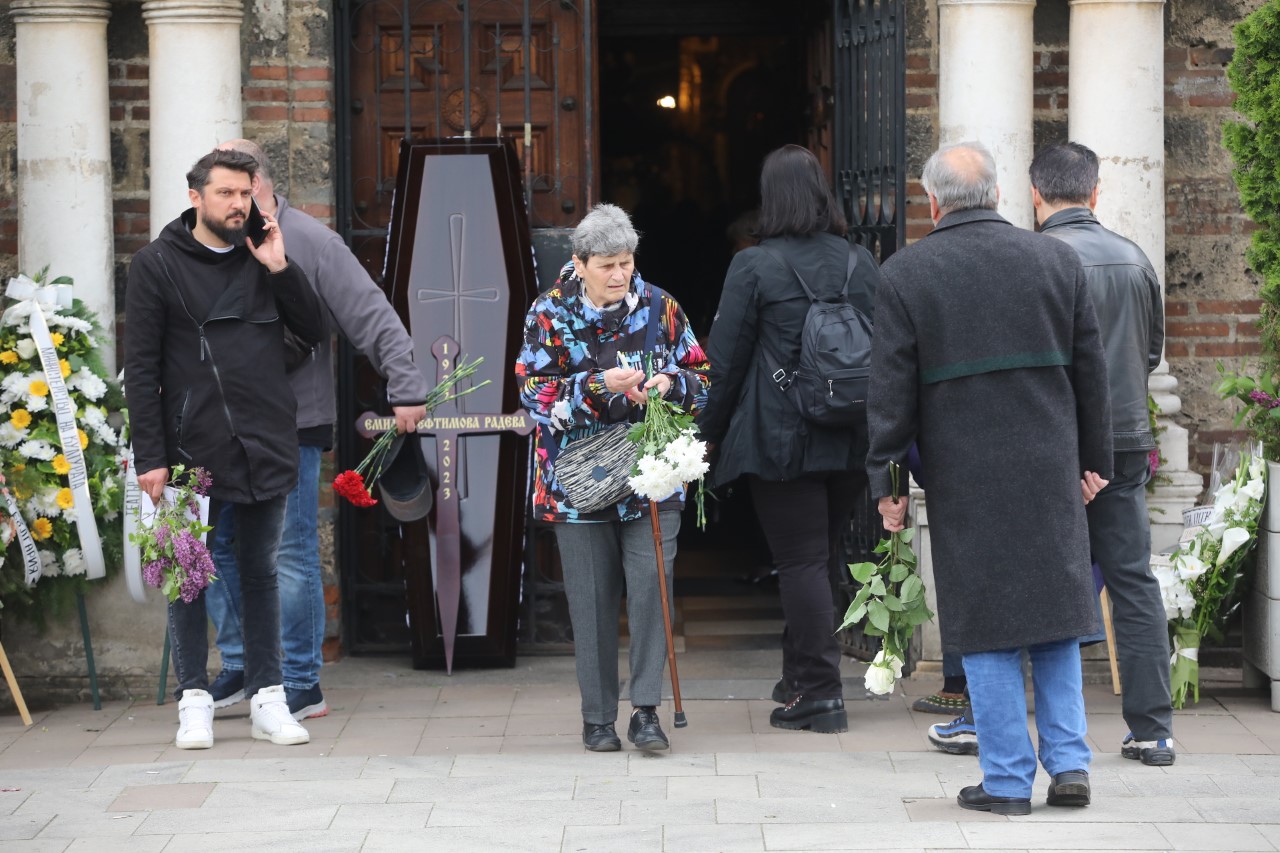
x=988 y=355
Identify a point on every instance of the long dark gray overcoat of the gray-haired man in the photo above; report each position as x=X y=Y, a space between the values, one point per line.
x=988 y=354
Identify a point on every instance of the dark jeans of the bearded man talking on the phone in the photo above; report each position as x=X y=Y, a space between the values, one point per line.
x=257 y=545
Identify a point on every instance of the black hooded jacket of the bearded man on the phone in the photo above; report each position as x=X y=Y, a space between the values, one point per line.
x=204 y=363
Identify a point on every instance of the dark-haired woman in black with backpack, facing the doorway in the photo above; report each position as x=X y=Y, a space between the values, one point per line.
x=804 y=466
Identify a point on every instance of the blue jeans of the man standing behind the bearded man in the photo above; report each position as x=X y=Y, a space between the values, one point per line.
x=301 y=589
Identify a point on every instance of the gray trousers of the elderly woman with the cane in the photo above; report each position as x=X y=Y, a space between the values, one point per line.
x=601 y=560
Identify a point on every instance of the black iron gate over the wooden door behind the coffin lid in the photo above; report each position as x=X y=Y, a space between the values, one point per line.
x=441 y=69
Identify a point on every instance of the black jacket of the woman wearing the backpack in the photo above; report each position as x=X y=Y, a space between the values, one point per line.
x=756 y=428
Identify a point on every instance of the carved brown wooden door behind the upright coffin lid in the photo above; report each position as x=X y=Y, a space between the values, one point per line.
x=445 y=69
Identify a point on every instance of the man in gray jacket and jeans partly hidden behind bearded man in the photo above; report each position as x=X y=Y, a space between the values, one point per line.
x=360 y=311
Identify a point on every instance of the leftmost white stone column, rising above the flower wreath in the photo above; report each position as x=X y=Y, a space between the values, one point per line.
x=65 y=150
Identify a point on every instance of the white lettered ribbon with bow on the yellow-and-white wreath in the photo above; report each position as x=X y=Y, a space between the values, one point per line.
x=65 y=410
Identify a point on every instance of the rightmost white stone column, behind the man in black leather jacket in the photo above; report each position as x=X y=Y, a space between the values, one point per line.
x=1117 y=107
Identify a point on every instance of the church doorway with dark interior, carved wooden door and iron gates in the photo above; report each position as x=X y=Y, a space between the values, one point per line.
x=664 y=107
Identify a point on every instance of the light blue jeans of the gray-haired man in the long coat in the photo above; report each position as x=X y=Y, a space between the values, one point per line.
x=999 y=699
